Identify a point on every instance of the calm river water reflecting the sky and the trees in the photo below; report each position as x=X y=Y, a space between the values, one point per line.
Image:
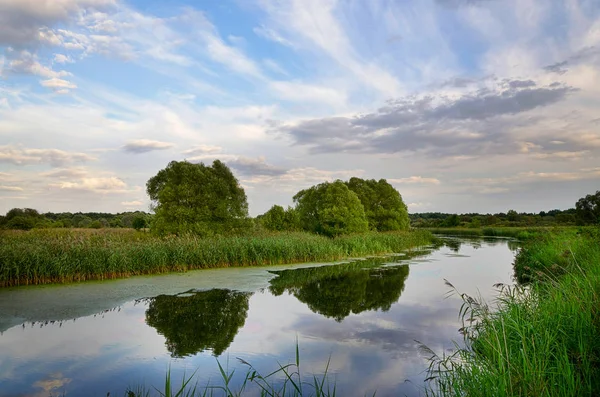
x=90 y=339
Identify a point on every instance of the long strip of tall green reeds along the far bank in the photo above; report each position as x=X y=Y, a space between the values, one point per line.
x=60 y=256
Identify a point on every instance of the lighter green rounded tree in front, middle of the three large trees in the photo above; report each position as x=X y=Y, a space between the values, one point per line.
x=332 y=209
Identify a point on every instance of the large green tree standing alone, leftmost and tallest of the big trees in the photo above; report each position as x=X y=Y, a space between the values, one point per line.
x=197 y=198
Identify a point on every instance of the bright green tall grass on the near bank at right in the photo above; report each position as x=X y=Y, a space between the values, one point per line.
x=544 y=339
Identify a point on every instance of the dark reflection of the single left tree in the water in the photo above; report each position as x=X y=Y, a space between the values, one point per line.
x=198 y=320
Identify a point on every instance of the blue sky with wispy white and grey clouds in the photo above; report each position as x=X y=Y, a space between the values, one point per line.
x=462 y=105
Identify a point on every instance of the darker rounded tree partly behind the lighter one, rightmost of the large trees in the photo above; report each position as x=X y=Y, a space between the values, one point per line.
x=383 y=204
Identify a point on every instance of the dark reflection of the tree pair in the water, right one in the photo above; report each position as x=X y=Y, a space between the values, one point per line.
x=336 y=291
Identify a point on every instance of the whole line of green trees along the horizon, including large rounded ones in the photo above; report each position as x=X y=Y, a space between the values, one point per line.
x=189 y=198
